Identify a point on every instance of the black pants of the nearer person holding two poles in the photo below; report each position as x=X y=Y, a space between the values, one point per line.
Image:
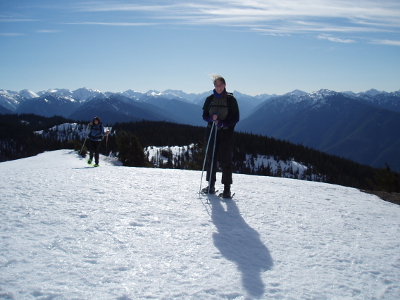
x=222 y=155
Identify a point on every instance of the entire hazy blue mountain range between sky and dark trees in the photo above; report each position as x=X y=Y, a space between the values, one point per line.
x=362 y=127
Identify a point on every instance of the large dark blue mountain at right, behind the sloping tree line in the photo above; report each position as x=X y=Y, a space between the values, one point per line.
x=362 y=127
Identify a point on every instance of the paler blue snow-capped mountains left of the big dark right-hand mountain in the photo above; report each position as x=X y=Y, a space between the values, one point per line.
x=65 y=102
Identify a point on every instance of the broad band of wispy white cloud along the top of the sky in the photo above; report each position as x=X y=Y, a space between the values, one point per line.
x=366 y=18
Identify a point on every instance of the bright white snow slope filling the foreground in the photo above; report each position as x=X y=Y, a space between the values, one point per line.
x=69 y=231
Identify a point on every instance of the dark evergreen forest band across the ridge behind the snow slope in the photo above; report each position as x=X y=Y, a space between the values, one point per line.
x=17 y=140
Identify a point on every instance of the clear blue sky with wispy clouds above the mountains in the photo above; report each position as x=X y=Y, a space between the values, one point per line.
x=259 y=46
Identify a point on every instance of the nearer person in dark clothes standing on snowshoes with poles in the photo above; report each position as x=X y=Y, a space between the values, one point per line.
x=221 y=108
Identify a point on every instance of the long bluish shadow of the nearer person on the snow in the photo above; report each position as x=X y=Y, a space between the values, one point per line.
x=240 y=243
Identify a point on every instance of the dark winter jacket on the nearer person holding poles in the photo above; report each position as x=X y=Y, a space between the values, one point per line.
x=225 y=106
